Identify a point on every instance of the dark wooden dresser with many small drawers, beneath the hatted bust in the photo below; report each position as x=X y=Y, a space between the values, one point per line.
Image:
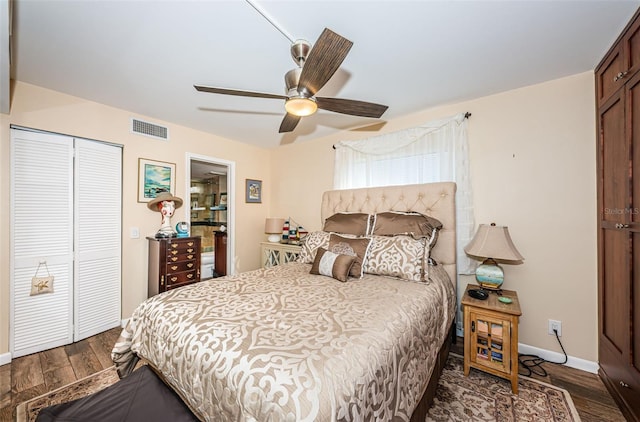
x=173 y=262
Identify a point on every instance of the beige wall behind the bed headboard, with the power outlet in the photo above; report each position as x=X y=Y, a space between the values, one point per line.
x=532 y=153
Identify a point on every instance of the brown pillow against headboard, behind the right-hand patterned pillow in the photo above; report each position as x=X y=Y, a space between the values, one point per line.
x=409 y=223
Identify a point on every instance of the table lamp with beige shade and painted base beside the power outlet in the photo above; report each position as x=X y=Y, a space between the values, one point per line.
x=492 y=243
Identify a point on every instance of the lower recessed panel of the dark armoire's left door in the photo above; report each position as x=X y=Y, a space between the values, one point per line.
x=615 y=291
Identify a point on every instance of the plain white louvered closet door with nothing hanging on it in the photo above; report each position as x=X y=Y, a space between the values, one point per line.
x=98 y=206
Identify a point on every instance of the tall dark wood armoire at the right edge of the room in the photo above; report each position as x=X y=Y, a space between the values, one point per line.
x=618 y=170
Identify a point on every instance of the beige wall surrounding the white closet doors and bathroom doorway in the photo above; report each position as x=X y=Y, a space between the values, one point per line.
x=43 y=109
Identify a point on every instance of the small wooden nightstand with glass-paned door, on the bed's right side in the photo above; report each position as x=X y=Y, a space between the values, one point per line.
x=491 y=335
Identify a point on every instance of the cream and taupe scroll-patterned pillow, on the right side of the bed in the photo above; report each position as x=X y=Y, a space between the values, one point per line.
x=398 y=256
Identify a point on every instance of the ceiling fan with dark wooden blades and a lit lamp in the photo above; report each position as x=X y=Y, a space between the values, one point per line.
x=315 y=67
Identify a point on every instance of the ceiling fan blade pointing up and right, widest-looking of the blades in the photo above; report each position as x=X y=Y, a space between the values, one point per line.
x=323 y=60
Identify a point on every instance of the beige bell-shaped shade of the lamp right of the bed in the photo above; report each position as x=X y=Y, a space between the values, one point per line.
x=493 y=241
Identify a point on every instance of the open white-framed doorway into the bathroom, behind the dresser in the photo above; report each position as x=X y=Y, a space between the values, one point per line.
x=211 y=188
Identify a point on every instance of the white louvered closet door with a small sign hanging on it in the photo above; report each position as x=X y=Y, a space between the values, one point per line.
x=42 y=231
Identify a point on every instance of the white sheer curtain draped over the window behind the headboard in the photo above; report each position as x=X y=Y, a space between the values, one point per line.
x=436 y=151
